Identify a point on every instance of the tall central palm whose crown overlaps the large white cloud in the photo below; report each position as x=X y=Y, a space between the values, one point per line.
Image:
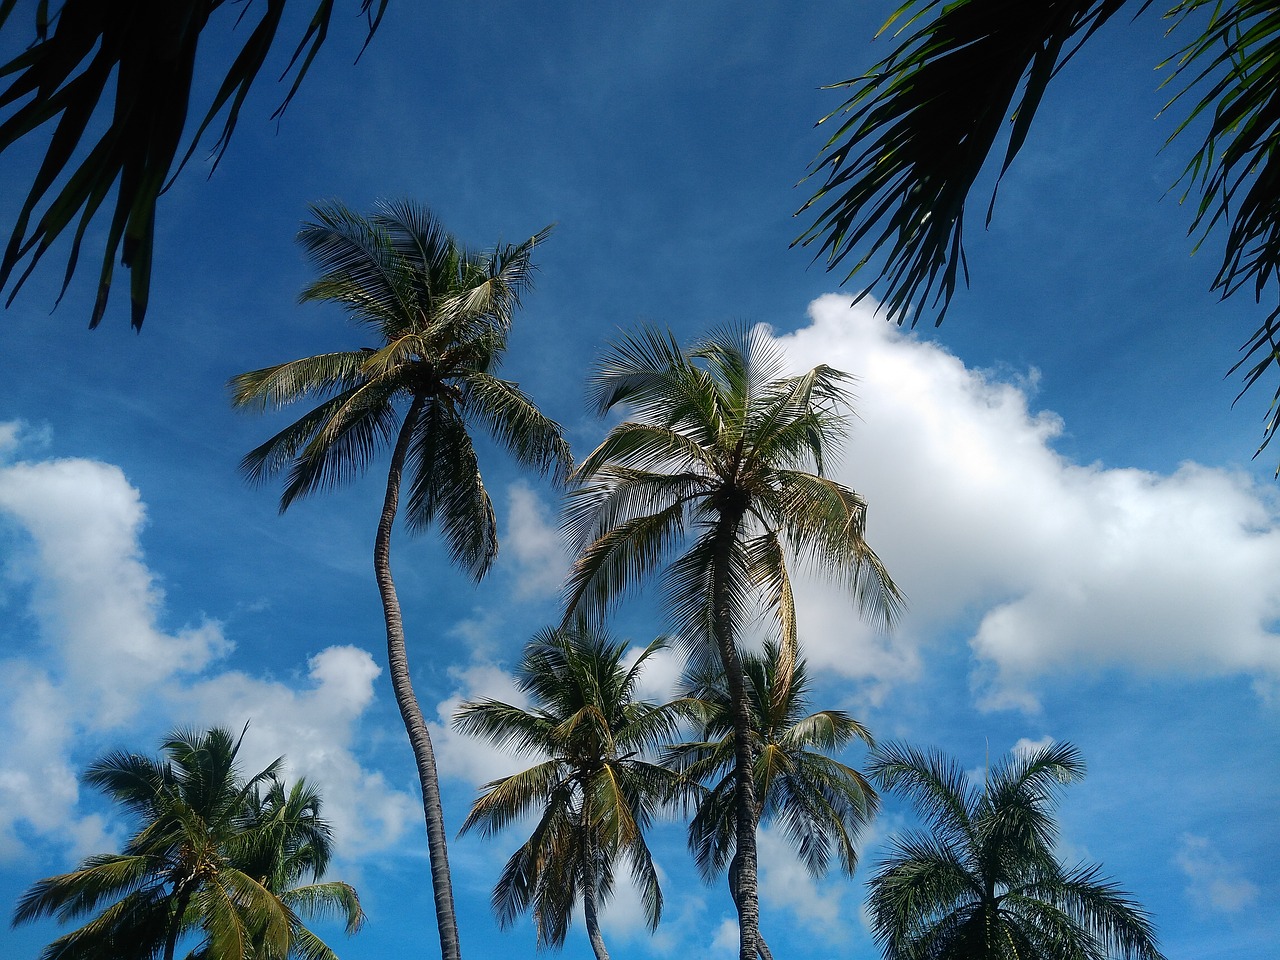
x=719 y=450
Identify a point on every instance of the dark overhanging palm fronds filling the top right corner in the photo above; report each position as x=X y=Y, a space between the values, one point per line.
x=920 y=127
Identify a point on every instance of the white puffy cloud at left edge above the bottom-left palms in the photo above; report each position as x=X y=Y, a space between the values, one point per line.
x=89 y=652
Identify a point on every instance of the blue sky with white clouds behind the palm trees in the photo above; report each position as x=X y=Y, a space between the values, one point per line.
x=1057 y=477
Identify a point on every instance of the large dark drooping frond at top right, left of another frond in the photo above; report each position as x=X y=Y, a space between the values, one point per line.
x=918 y=129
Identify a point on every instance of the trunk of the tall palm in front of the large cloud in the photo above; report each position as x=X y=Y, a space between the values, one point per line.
x=747 y=902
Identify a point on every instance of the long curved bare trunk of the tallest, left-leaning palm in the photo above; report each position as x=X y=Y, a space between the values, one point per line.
x=415 y=726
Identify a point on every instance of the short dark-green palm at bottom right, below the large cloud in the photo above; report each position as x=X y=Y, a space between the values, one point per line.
x=985 y=884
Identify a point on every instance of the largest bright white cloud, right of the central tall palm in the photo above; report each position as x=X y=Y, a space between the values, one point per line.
x=1069 y=568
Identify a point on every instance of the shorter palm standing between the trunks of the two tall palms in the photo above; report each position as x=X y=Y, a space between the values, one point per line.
x=596 y=790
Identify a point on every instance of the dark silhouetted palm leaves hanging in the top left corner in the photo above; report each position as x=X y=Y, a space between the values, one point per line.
x=141 y=56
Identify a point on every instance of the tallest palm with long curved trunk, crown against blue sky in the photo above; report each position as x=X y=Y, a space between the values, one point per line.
x=442 y=316
